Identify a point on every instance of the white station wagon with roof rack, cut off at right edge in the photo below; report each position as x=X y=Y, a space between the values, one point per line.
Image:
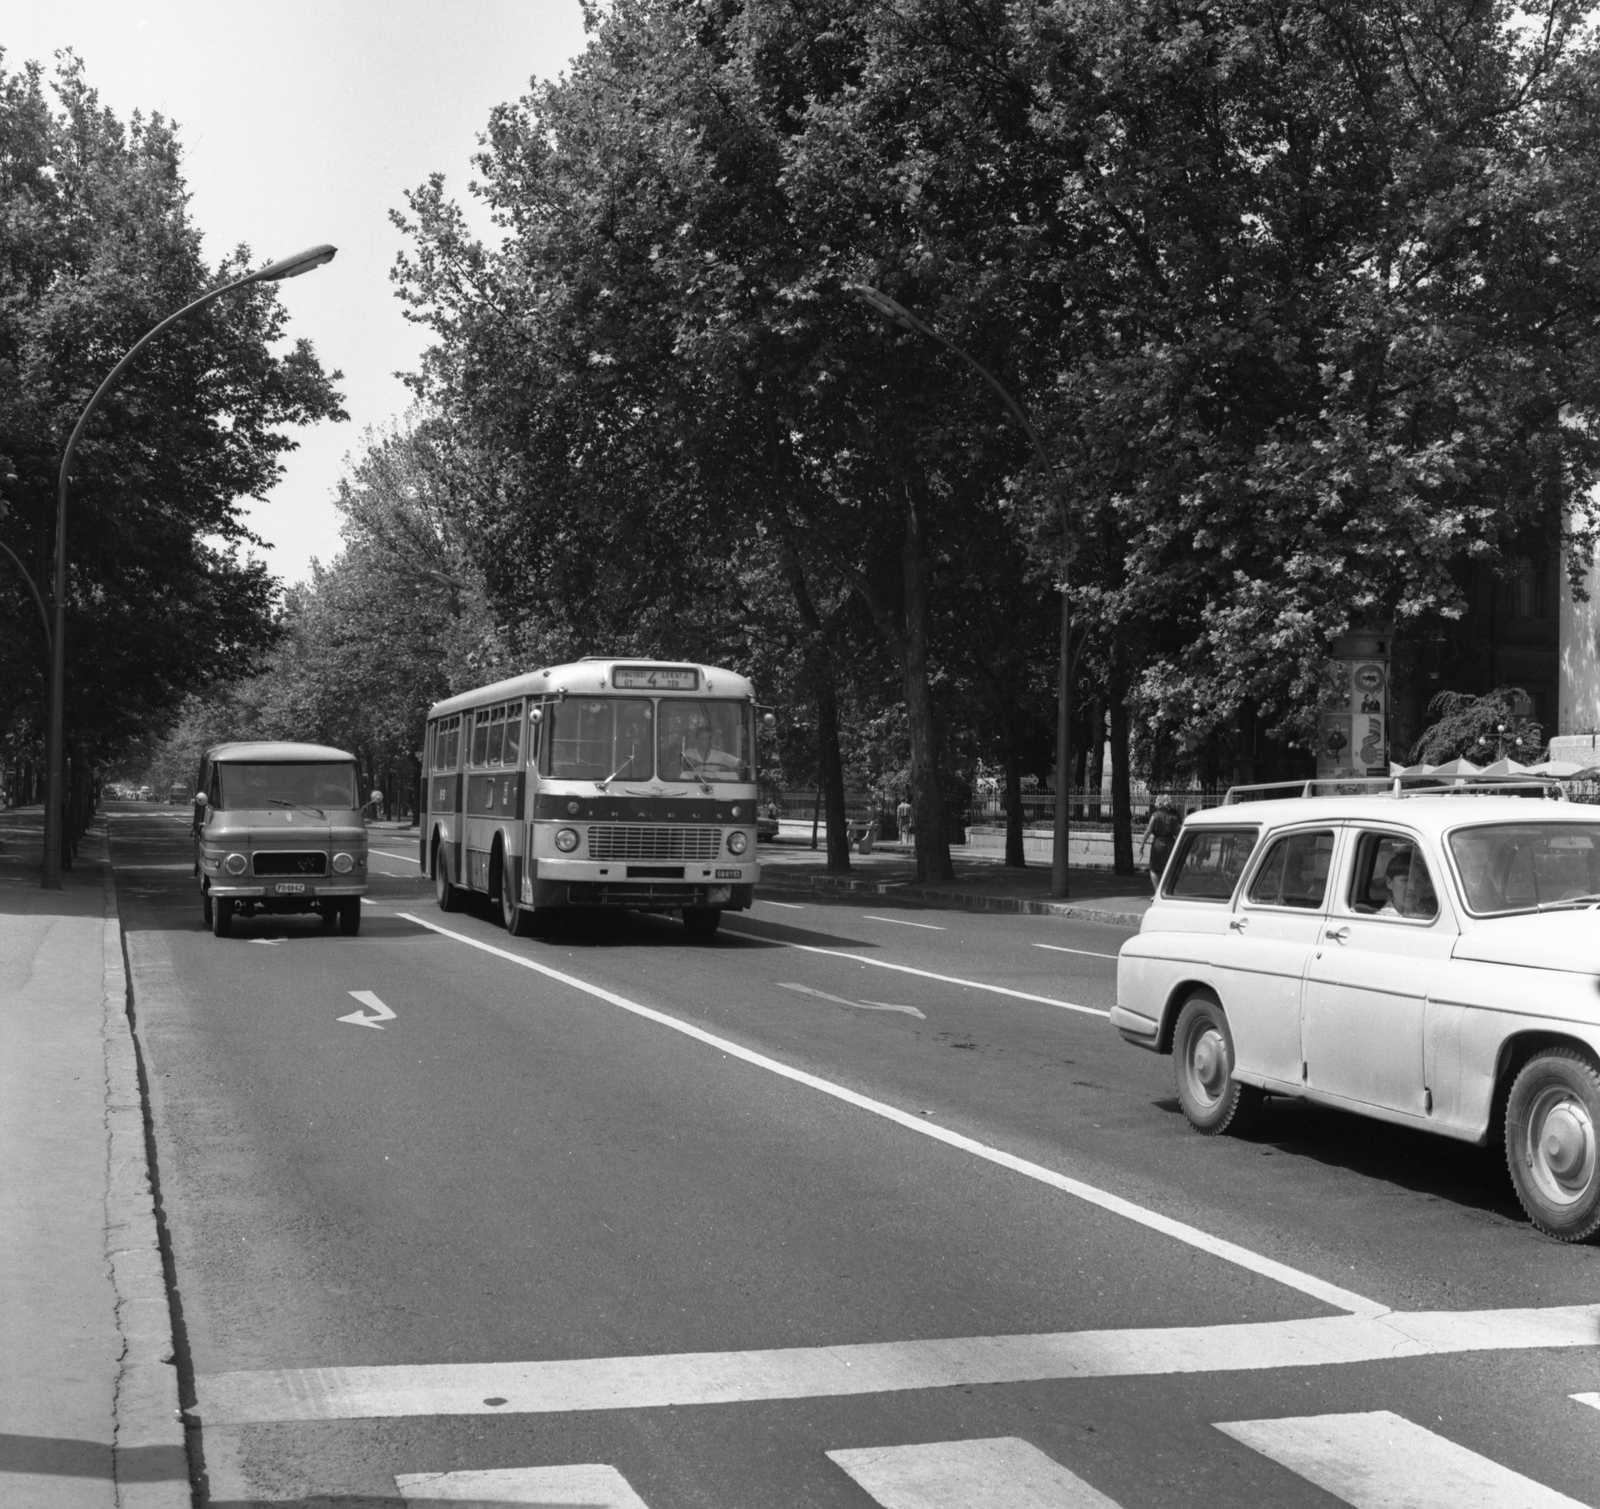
x=1423 y=958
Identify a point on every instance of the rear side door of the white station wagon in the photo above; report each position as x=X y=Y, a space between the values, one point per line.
x=1273 y=934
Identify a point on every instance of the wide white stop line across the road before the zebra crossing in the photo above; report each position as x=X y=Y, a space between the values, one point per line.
x=713 y=1379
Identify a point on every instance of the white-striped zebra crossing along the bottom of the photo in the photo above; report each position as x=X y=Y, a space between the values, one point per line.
x=1372 y=1460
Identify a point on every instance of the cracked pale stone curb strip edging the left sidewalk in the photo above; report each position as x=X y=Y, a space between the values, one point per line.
x=150 y=1457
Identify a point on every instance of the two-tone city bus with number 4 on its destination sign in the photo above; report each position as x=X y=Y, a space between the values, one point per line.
x=607 y=783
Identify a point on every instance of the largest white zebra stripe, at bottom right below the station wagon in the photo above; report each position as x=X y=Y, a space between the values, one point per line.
x=1383 y=1462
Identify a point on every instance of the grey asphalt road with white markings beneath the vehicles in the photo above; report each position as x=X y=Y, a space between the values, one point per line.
x=607 y=1214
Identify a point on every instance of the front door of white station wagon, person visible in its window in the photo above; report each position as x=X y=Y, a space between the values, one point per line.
x=1370 y=974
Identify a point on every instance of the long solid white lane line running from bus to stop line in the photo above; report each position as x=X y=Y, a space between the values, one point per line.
x=1217 y=1247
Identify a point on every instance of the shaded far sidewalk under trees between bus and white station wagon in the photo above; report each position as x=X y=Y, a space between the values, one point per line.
x=983 y=884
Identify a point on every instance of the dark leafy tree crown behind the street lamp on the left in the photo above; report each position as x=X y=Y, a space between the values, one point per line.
x=95 y=249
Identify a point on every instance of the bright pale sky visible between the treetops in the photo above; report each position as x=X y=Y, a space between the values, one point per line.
x=306 y=122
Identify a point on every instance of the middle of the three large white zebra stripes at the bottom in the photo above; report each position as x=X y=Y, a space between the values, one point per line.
x=969 y=1475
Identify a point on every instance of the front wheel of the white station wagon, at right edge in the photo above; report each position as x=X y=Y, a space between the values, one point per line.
x=1553 y=1143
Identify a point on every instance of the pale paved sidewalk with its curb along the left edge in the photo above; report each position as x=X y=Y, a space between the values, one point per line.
x=89 y=1393
